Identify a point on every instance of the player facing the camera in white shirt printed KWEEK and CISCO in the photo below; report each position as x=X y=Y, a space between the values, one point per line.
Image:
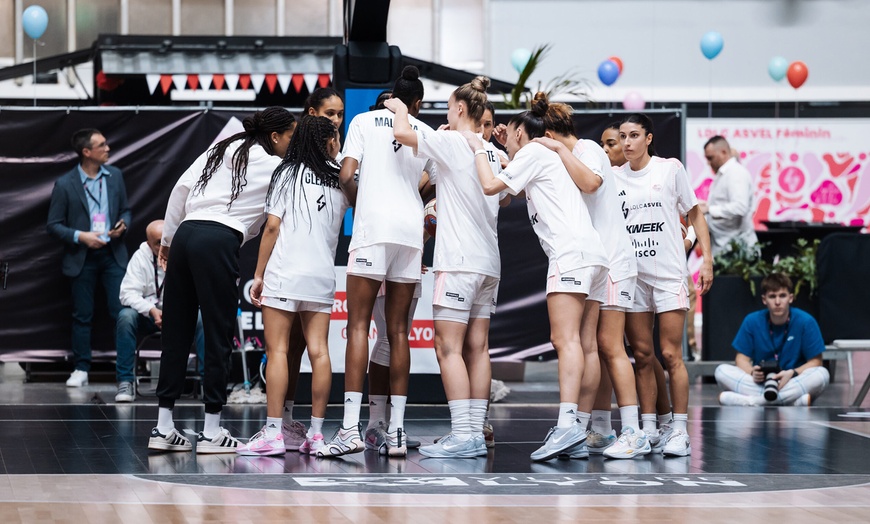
x=657 y=194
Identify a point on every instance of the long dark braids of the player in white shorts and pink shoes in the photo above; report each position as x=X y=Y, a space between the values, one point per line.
x=307 y=150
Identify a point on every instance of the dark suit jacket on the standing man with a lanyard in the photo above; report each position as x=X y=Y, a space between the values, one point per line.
x=69 y=212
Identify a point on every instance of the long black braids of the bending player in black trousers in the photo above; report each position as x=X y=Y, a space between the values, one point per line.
x=258 y=130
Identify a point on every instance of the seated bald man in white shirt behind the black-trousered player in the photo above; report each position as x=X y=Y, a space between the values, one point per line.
x=142 y=312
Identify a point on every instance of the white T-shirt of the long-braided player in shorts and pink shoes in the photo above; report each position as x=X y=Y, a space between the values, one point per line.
x=302 y=264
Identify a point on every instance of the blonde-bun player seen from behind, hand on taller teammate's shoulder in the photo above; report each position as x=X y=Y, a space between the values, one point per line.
x=467 y=265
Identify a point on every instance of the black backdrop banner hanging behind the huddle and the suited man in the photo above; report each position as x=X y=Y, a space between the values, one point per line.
x=153 y=147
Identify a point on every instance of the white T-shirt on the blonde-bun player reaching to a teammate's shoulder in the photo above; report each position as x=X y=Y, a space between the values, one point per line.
x=467 y=218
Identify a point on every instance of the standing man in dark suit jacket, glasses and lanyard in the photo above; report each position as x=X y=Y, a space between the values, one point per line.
x=89 y=214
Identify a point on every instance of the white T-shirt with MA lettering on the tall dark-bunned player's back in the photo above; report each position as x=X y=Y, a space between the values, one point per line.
x=388 y=206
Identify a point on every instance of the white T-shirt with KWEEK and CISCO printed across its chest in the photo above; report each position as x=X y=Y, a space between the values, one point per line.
x=655 y=198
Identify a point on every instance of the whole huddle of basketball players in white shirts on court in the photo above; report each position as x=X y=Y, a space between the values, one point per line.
x=609 y=222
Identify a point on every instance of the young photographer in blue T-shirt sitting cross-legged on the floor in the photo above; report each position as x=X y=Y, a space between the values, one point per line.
x=779 y=353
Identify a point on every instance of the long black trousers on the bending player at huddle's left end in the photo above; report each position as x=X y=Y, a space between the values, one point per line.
x=202 y=275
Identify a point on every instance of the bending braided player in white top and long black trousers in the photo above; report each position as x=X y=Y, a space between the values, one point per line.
x=214 y=208
